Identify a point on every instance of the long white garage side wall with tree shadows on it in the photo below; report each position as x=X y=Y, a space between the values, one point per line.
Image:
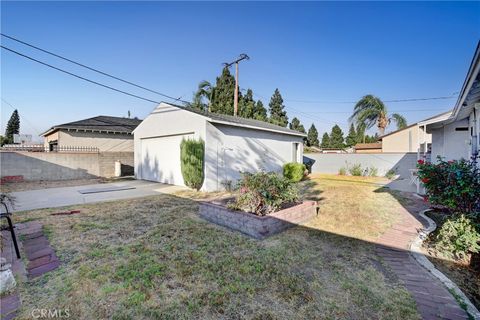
x=231 y=150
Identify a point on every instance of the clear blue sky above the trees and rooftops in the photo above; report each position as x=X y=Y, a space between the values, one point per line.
x=327 y=52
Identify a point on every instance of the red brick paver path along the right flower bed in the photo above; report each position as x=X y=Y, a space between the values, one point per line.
x=433 y=299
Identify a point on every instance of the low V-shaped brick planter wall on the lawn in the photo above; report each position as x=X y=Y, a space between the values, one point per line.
x=258 y=227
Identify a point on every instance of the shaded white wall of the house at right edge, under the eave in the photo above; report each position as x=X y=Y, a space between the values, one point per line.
x=451 y=144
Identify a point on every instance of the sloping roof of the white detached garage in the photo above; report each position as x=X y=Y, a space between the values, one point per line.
x=239 y=121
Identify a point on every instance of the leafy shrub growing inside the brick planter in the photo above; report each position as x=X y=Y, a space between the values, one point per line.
x=264 y=192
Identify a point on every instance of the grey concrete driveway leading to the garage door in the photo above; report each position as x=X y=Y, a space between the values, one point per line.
x=59 y=197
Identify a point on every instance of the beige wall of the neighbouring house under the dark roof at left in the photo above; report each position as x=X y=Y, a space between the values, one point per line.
x=104 y=142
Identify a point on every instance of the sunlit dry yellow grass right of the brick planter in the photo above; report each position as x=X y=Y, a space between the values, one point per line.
x=356 y=207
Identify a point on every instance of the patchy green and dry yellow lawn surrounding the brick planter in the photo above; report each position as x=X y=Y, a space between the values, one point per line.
x=155 y=258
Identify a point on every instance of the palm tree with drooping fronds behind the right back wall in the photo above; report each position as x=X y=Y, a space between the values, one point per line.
x=370 y=110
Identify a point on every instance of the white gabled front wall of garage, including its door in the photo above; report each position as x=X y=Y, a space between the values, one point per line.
x=160 y=162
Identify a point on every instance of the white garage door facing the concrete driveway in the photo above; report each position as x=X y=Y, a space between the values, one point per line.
x=161 y=159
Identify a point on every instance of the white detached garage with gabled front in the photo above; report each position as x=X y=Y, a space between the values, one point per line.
x=232 y=145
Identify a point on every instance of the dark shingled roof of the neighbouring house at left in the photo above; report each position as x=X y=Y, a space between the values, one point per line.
x=105 y=124
